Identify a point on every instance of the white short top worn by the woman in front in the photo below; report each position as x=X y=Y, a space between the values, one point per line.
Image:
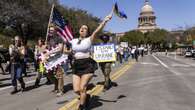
x=81 y=50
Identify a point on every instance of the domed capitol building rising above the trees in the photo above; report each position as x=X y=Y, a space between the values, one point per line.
x=147 y=18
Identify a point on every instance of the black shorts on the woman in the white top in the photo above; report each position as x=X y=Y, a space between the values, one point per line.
x=84 y=66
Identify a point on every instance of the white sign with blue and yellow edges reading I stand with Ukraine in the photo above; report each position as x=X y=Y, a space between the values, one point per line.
x=104 y=53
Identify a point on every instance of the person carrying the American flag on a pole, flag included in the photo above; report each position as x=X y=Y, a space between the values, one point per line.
x=57 y=26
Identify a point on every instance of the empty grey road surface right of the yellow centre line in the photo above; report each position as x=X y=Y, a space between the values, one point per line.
x=155 y=83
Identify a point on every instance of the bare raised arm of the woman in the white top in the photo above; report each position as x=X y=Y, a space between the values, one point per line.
x=102 y=24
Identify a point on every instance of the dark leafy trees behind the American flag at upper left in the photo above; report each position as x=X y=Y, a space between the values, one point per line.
x=29 y=18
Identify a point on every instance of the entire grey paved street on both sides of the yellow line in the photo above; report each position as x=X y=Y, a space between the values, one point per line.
x=156 y=82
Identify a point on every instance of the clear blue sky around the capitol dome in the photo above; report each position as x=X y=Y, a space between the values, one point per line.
x=171 y=14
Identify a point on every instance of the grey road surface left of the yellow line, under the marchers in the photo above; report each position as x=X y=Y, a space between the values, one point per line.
x=40 y=98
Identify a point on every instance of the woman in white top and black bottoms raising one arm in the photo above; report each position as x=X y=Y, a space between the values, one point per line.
x=84 y=66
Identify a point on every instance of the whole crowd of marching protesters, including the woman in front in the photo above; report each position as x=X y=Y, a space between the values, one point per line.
x=79 y=60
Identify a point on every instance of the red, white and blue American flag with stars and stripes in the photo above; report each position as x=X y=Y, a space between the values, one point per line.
x=62 y=27
